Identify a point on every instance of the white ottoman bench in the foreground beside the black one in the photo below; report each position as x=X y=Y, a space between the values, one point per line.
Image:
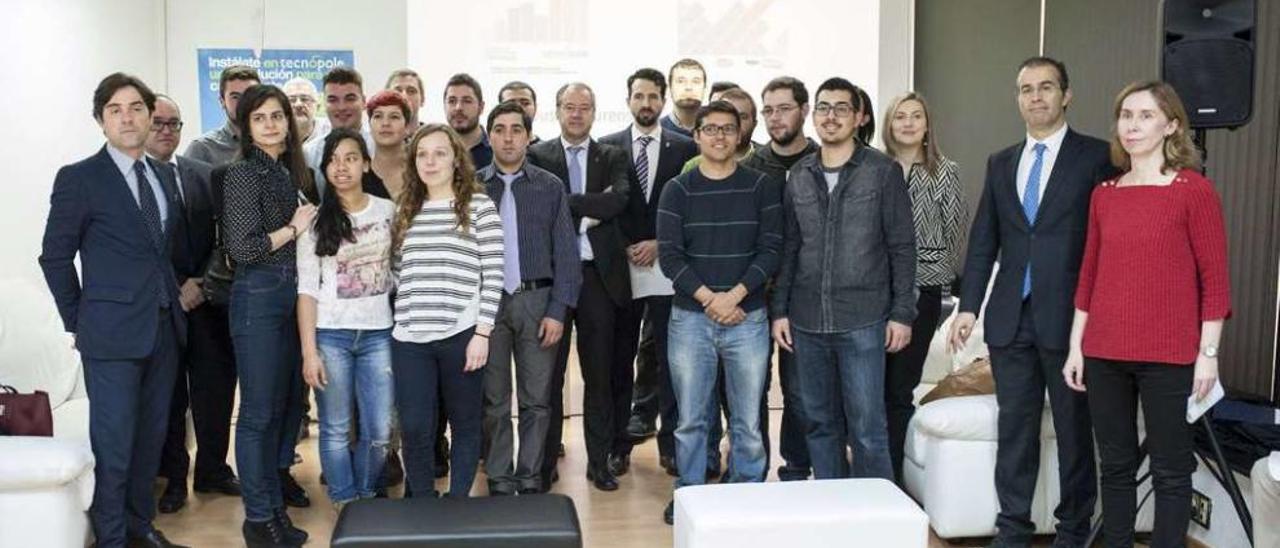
x=871 y=513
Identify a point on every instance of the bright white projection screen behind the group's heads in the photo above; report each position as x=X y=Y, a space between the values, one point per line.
x=748 y=43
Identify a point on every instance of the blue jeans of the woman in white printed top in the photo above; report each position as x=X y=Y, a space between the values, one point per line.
x=358 y=366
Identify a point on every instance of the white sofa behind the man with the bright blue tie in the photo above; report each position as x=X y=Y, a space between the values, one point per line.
x=950 y=455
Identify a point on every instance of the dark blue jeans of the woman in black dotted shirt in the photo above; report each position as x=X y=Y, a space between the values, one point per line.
x=268 y=366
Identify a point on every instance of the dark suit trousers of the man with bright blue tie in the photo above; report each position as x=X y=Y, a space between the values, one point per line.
x=1023 y=371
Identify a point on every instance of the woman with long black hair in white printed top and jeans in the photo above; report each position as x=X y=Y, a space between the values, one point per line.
x=345 y=321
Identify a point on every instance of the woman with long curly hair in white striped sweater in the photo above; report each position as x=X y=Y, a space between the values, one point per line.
x=447 y=249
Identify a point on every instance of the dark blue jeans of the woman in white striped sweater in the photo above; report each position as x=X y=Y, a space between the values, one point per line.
x=424 y=375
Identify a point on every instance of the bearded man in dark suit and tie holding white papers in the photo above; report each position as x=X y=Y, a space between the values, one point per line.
x=656 y=156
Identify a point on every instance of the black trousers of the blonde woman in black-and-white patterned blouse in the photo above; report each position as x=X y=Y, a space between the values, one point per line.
x=903 y=373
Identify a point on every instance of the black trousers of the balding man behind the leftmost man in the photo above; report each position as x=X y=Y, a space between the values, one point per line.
x=207 y=383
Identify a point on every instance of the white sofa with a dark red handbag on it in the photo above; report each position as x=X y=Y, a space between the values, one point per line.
x=47 y=485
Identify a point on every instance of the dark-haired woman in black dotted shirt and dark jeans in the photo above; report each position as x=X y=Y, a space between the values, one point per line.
x=267 y=195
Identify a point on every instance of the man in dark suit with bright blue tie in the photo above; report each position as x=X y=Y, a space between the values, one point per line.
x=1032 y=217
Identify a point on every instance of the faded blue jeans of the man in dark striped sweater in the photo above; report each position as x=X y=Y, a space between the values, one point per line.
x=696 y=344
